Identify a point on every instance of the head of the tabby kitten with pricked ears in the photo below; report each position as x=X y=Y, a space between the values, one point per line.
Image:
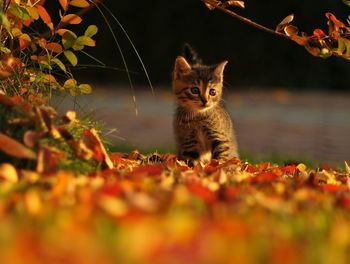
x=197 y=87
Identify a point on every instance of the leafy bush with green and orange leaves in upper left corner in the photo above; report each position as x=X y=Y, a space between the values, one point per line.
x=30 y=60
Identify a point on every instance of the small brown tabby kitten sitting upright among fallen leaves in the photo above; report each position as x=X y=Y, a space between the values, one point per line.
x=203 y=128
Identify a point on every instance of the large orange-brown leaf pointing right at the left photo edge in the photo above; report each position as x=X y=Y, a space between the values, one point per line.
x=13 y=148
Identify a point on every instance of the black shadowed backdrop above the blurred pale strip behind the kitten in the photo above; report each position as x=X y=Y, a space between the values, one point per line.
x=159 y=28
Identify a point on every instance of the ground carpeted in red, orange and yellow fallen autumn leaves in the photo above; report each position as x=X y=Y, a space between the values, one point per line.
x=65 y=199
